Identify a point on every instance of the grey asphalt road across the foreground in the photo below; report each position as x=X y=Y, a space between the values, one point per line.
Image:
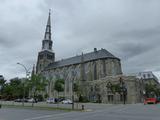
x=103 y=112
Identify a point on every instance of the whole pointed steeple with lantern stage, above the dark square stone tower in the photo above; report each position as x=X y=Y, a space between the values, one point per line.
x=47 y=42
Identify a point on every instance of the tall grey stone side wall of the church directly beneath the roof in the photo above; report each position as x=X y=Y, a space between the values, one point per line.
x=88 y=71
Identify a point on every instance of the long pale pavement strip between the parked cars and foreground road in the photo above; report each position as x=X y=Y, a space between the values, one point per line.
x=77 y=106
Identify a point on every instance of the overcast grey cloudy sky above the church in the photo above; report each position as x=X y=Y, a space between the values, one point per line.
x=129 y=29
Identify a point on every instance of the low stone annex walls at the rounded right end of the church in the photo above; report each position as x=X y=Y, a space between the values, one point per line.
x=98 y=91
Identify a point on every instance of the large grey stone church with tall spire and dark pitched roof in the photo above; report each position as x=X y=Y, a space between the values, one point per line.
x=91 y=71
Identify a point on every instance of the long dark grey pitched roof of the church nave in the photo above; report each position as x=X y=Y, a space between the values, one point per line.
x=97 y=54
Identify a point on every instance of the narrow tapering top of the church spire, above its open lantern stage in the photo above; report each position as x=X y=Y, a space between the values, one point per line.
x=47 y=35
